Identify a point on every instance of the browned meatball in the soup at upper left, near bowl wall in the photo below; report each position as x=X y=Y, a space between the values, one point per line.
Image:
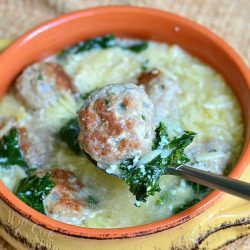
x=41 y=84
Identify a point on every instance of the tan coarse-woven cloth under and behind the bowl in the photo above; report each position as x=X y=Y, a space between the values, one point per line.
x=228 y=18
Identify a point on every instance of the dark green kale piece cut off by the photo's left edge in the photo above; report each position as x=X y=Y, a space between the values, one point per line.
x=10 y=151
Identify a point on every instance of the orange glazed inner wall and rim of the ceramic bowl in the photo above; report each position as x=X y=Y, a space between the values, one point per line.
x=129 y=22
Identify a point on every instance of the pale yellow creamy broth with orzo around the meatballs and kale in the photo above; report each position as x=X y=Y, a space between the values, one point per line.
x=197 y=99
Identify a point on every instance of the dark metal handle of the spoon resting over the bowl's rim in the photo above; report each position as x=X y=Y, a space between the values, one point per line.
x=226 y=184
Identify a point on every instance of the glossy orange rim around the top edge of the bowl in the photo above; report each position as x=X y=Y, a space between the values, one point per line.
x=127 y=232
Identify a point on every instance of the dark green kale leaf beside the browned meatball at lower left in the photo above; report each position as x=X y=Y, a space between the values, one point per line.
x=33 y=190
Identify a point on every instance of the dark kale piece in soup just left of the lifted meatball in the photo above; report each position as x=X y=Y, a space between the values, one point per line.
x=69 y=134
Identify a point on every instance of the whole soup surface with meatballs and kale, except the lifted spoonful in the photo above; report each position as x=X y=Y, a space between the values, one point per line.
x=189 y=95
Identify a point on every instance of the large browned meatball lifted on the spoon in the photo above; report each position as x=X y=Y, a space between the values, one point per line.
x=116 y=123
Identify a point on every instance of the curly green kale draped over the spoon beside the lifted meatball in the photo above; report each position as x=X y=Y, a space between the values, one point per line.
x=143 y=180
